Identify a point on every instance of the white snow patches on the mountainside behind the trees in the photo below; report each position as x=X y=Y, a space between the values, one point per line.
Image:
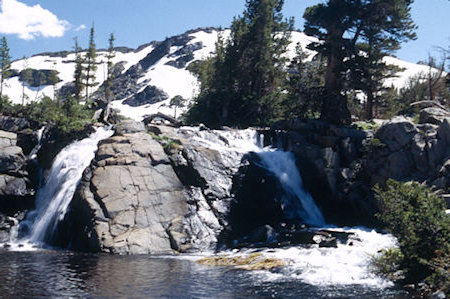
x=172 y=80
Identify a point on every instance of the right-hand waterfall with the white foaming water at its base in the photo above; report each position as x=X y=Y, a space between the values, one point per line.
x=348 y=264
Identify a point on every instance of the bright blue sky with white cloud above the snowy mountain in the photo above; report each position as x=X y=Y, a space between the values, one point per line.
x=33 y=27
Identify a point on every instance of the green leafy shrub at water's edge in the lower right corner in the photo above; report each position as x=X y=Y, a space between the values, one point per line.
x=417 y=218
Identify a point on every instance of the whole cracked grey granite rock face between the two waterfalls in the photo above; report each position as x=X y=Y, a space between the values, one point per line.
x=140 y=198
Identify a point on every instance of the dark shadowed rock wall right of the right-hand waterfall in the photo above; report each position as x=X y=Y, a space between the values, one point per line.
x=340 y=165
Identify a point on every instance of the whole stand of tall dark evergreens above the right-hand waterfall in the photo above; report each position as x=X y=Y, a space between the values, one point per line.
x=248 y=82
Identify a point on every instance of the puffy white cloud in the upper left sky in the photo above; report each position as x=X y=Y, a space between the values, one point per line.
x=29 y=22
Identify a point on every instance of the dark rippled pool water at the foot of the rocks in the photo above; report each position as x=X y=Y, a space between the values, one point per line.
x=48 y=273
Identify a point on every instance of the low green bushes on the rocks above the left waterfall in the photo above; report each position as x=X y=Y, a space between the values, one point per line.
x=68 y=116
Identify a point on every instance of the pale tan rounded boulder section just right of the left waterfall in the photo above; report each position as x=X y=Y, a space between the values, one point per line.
x=131 y=201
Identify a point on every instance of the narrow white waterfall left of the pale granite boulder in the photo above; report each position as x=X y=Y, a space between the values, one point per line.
x=53 y=199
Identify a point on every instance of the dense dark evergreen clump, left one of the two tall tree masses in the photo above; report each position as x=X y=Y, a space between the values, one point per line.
x=243 y=83
